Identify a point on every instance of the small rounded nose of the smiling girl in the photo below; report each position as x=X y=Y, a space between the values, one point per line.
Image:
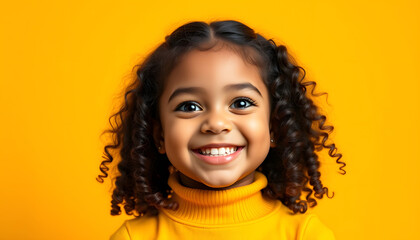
x=216 y=122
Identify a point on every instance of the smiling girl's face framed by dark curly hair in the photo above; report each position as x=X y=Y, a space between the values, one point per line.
x=215 y=119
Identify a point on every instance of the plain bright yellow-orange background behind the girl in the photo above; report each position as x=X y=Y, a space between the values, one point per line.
x=63 y=64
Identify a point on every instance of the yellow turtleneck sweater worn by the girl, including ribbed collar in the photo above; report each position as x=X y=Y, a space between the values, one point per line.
x=237 y=213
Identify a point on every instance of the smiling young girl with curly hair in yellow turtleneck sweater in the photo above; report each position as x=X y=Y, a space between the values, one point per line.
x=217 y=139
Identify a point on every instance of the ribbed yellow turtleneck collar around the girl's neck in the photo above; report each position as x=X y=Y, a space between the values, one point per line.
x=221 y=207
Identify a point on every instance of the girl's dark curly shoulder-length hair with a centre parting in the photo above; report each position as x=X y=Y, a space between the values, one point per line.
x=298 y=126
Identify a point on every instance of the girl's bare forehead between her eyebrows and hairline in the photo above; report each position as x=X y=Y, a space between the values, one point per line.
x=214 y=67
